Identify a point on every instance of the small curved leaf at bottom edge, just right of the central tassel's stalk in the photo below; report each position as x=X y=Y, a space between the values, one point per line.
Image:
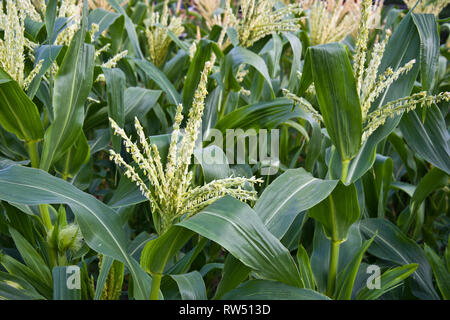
x=191 y=285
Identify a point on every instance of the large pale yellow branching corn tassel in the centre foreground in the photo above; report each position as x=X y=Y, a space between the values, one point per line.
x=170 y=190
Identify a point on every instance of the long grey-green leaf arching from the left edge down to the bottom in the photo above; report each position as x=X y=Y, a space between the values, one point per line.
x=100 y=225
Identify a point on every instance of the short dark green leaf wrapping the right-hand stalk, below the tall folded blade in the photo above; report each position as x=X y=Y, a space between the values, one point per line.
x=337 y=212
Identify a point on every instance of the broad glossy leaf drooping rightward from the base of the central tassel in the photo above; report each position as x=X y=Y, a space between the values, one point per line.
x=236 y=227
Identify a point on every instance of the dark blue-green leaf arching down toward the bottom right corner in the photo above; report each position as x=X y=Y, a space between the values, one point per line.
x=392 y=245
